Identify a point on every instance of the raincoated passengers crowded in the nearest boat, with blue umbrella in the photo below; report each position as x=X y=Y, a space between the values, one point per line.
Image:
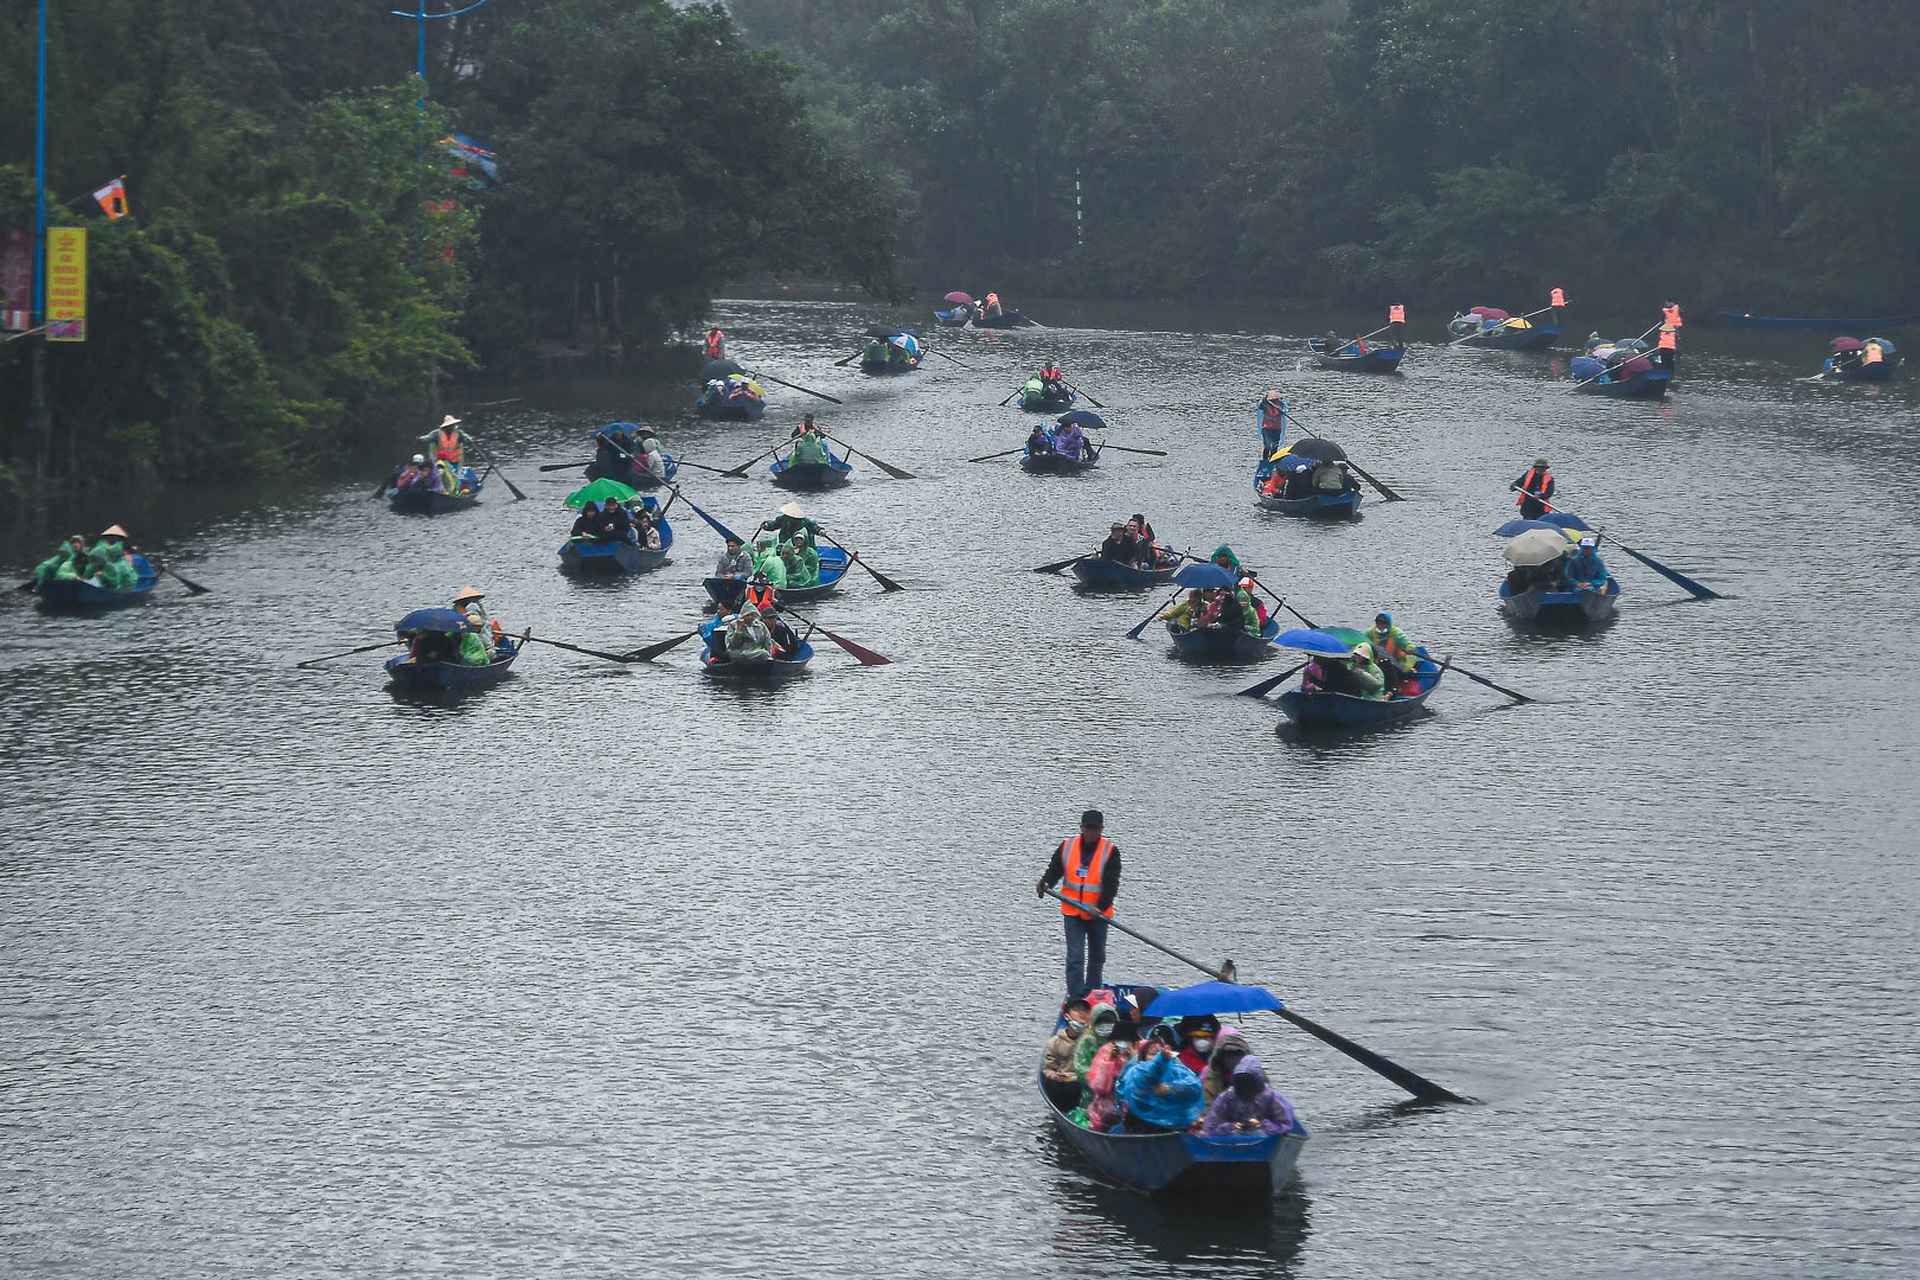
x=1111 y=1068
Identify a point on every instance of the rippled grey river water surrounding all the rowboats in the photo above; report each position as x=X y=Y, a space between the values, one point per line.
x=610 y=972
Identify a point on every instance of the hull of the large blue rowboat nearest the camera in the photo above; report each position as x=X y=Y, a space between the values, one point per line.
x=1239 y=1168
